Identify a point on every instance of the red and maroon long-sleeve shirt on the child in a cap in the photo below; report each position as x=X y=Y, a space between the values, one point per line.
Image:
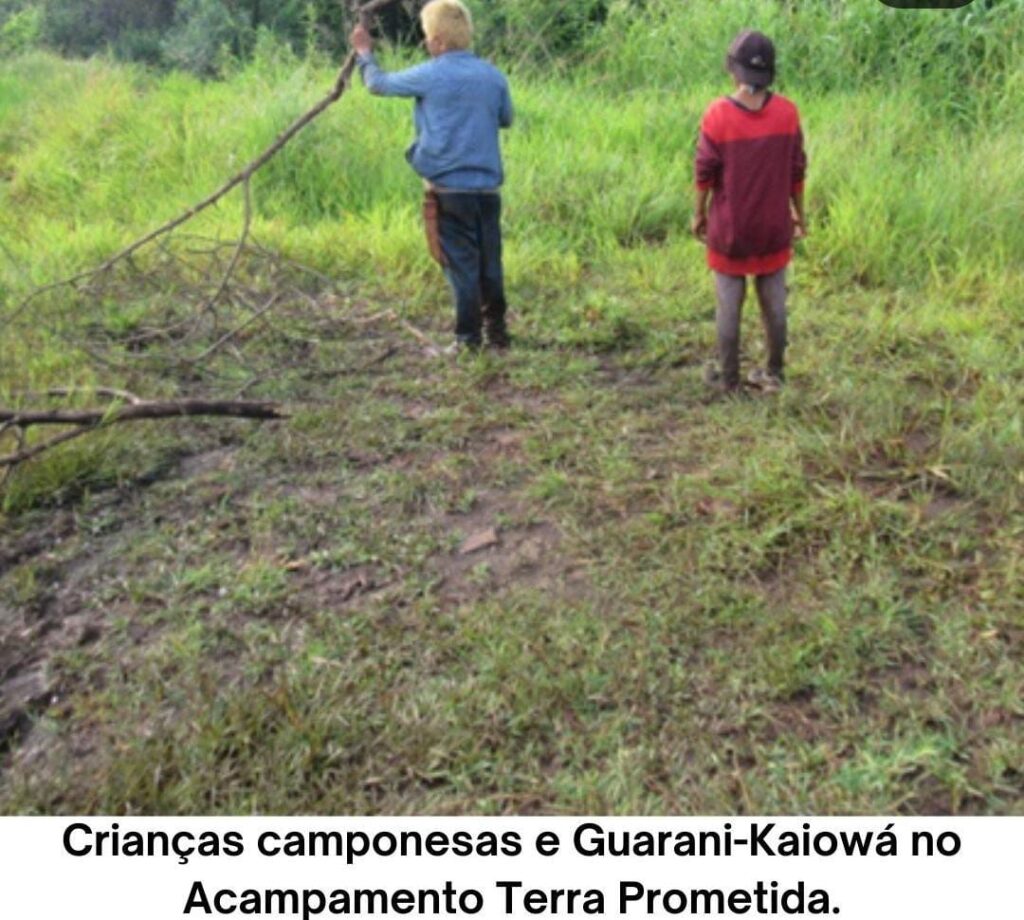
x=754 y=163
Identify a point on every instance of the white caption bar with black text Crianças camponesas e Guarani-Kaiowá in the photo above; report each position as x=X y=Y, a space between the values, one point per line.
x=861 y=869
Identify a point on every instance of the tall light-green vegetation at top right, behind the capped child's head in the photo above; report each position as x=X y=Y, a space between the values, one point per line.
x=829 y=46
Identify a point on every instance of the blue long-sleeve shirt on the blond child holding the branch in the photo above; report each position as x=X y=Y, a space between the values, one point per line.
x=461 y=104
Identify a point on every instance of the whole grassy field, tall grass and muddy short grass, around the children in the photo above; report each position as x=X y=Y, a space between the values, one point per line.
x=808 y=603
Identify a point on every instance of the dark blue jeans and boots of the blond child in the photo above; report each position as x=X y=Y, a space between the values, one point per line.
x=471 y=229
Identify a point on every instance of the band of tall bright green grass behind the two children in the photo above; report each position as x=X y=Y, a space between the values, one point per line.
x=599 y=165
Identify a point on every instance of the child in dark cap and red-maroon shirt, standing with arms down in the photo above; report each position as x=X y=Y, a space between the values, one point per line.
x=751 y=165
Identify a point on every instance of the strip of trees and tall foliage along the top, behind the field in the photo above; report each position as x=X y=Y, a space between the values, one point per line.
x=827 y=41
